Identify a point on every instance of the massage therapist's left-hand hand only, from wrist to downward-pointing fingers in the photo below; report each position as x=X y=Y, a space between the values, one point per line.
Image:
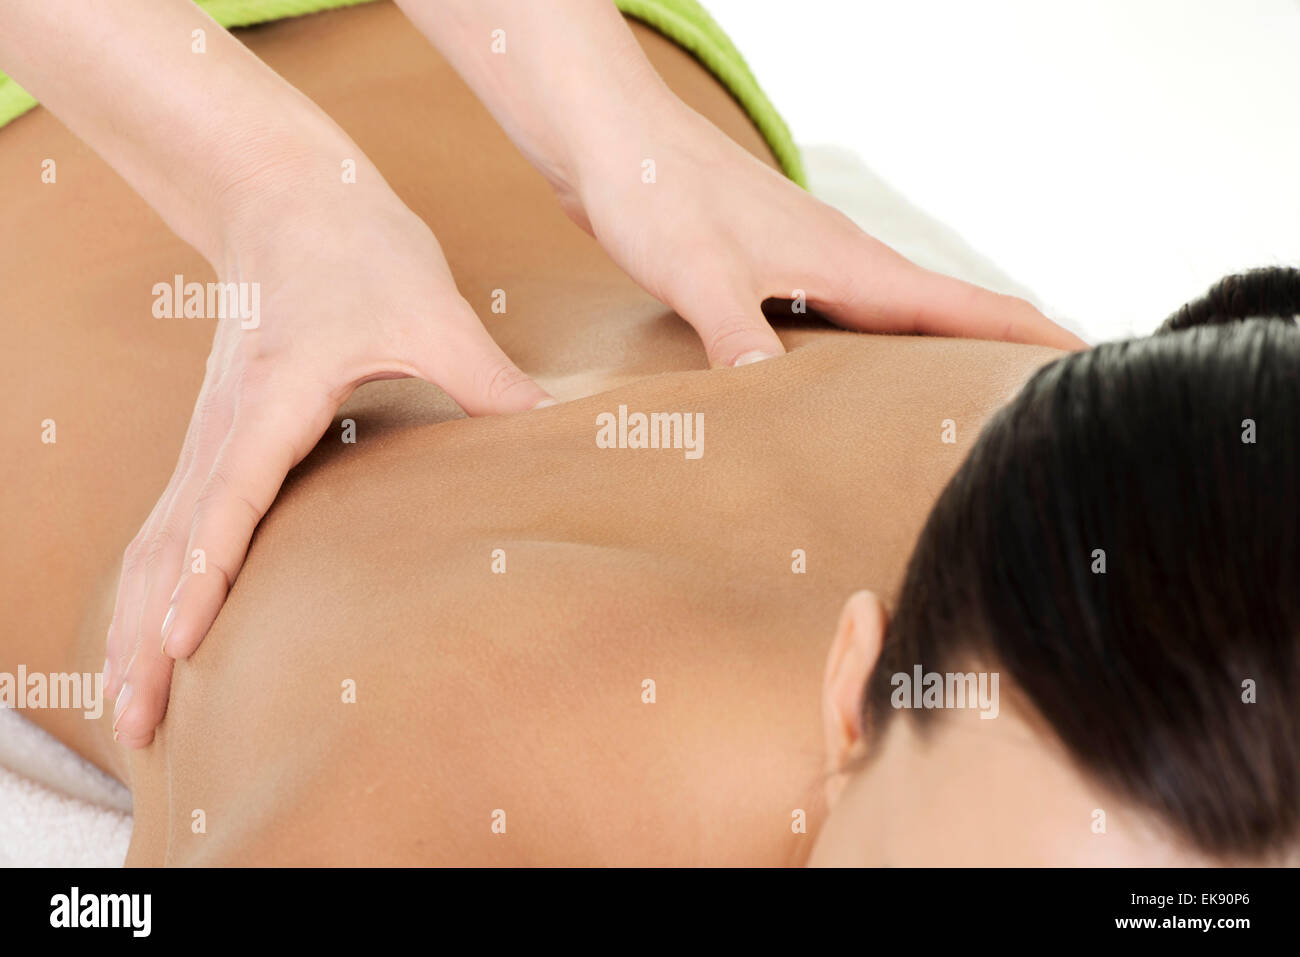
x=344 y=301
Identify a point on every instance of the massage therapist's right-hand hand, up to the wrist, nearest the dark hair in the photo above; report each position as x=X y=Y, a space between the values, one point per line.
x=718 y=232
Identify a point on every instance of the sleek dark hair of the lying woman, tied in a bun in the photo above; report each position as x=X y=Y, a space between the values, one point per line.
x=1177 y=456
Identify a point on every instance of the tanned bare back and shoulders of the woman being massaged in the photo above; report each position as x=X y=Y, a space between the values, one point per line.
x=475 y=691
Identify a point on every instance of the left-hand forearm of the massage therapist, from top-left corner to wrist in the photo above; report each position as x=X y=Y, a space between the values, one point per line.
x=215 y=141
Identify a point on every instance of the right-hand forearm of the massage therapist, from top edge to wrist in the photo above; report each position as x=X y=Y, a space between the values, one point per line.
x=566 y=79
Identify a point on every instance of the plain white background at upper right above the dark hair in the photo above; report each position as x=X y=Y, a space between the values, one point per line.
x=1116 y=158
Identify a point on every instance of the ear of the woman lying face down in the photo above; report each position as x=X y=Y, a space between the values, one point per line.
x=853 y=656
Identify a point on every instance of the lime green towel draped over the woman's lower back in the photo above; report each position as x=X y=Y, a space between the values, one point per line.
x=684 y=23
